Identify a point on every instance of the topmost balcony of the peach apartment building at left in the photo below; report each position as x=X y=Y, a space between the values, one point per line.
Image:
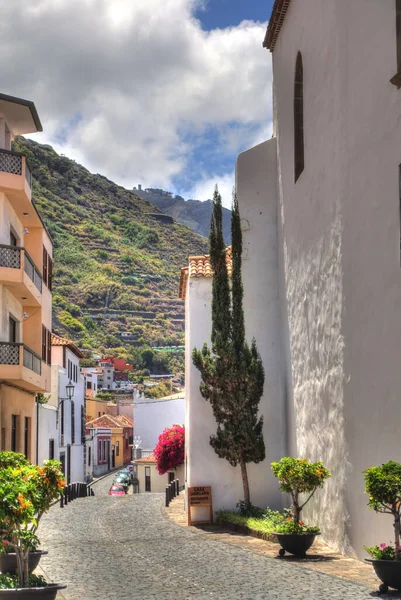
x=16 y=181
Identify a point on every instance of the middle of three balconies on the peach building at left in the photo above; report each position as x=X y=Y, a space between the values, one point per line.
x=20 y=275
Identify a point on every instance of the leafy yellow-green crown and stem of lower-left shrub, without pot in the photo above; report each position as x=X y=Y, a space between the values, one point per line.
x=26 y=493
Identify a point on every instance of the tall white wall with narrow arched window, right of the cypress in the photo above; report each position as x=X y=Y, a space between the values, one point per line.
x=340 y=230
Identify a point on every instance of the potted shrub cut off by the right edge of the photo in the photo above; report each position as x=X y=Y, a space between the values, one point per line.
x=383 y=484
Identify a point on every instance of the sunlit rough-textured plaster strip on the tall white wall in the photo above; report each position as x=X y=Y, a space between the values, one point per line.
x=314 y=294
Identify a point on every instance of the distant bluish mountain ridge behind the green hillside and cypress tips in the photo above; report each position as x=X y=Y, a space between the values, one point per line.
x=192 y=213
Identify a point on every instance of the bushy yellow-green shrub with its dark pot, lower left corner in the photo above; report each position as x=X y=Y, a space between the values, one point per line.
x=26 y=493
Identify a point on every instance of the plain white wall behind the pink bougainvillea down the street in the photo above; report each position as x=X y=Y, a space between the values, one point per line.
x=151 y=417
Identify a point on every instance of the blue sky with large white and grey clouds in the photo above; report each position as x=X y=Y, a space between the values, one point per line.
x=159 y=93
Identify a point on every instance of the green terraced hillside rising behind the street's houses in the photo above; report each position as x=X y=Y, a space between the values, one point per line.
x=117 y=264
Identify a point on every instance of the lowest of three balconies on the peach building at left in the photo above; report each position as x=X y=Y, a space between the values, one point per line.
x=23 y=367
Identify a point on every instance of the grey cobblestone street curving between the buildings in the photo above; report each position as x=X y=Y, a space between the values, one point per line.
x=124 y=548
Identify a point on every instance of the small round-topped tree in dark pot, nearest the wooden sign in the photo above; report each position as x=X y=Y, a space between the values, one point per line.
x=298 y=476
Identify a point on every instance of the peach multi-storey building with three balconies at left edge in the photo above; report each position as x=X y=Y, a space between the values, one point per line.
x=25 y=286
